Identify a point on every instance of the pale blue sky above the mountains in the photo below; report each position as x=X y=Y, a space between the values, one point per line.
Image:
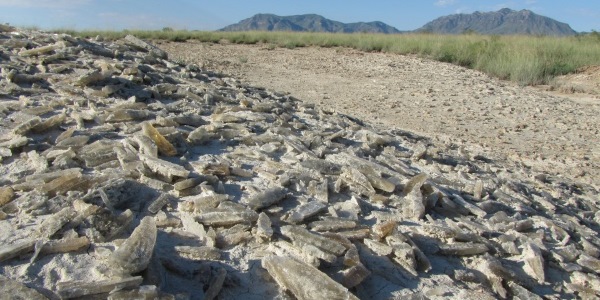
x=582 y=15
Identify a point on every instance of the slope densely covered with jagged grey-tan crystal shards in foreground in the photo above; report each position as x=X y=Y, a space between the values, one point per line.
x=127 y=175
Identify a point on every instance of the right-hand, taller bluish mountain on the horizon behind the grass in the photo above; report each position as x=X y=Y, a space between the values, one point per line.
x=504 y=21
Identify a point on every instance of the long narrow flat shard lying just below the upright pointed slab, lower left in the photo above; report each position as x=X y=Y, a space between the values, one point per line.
x=75 y=289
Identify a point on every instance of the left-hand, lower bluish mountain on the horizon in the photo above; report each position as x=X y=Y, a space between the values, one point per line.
x=310 y=22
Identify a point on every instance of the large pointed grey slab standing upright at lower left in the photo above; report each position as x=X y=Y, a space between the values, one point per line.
x=134 y=254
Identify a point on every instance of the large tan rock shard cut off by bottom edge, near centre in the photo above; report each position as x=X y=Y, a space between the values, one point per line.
x=304 y=281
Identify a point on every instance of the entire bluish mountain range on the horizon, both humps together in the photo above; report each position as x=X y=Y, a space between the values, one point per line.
x=504 y=21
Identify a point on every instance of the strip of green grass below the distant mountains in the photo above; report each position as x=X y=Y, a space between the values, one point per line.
x=528 y=60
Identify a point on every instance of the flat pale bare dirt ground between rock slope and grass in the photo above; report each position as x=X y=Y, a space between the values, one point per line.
x=555 y=133
